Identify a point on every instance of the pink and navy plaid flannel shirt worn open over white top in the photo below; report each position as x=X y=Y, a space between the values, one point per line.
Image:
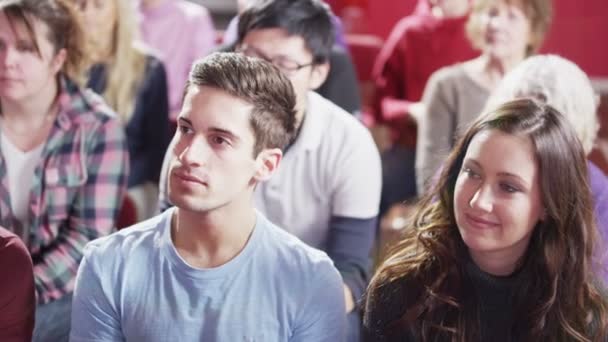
x=76 y=191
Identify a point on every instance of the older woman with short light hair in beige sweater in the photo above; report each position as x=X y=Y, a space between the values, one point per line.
x=506 y=32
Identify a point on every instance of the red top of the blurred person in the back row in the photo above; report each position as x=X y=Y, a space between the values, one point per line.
x=419 y=45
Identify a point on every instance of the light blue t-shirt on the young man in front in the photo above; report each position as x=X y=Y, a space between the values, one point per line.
x=134 y=286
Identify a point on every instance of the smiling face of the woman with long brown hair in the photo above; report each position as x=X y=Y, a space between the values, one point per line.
x=497 y=197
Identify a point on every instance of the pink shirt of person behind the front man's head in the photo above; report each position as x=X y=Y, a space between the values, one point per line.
x=181 y=32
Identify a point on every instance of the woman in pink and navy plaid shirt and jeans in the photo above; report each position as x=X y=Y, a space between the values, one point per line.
x=63 y=160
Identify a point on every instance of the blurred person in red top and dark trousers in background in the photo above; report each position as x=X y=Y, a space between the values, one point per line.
x=433 y=36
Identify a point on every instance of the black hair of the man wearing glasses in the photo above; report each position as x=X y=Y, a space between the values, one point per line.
x=309 y=19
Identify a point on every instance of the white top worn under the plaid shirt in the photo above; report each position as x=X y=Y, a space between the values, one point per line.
x=20 y=168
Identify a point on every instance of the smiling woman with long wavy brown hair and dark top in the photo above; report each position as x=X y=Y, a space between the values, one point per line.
x=502 y=248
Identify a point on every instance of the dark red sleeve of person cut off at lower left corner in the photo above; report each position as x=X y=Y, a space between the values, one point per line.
x=17 y=295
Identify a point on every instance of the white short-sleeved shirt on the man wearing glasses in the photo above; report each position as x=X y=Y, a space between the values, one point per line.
x=332 y=169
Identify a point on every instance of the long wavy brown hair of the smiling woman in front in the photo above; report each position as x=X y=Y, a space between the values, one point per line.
x=560 y=298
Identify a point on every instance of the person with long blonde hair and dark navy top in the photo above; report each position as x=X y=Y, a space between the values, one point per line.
x=134 y=84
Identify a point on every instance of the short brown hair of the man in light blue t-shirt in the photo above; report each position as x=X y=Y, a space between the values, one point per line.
x=257 y=82
